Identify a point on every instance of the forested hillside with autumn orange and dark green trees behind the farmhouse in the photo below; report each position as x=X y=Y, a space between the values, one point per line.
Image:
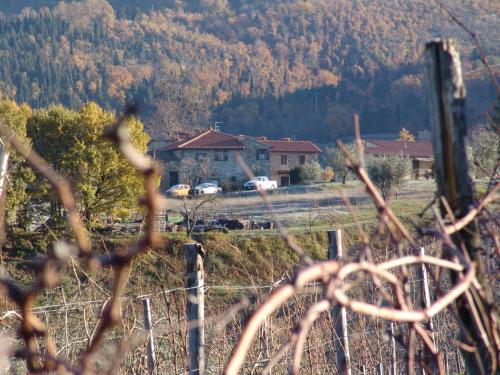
x=277 y=68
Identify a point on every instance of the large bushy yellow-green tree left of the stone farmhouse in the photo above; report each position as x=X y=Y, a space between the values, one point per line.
x=103 y=180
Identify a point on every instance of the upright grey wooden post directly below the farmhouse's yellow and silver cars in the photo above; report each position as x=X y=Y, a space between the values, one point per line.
x=195 y=307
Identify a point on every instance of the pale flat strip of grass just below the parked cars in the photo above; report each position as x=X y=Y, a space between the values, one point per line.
x=297 y=210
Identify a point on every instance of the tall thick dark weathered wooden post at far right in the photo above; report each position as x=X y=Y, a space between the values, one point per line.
x=449 y=129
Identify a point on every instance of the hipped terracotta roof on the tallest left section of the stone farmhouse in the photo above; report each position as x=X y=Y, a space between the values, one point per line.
x=208 y=140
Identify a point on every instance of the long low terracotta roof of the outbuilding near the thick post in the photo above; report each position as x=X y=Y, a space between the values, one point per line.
x=419 y=149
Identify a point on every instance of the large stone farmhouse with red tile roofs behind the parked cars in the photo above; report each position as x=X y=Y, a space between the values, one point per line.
x=218 y=152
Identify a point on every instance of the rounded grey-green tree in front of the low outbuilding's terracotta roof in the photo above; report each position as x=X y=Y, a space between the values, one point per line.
x=388 y=172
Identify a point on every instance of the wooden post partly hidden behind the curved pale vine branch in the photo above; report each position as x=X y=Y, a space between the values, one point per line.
x=339 y=314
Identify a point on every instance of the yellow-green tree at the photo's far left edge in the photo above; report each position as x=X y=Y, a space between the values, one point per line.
x=15 y=175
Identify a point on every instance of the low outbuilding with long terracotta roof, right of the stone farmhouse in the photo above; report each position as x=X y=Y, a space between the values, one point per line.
x=420 y=153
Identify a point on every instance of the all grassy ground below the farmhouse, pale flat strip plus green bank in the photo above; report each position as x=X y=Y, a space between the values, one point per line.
x=232 y=257
